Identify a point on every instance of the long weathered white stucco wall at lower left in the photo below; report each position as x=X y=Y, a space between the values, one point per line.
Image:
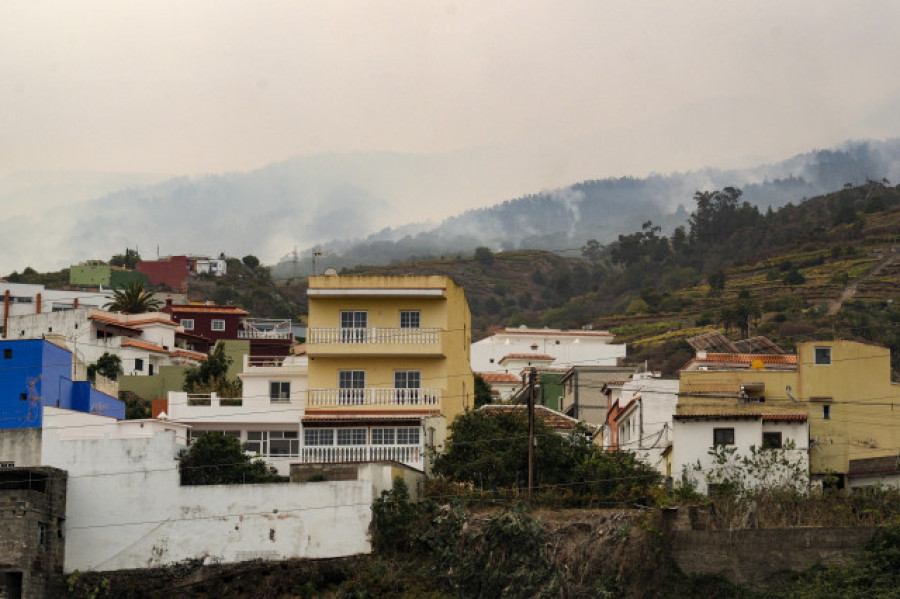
x=126 y=509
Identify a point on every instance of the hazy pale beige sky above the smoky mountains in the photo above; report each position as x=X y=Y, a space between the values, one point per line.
x=569 y=90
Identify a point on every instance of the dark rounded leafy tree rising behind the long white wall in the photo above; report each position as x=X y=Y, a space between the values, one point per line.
x=217 y=459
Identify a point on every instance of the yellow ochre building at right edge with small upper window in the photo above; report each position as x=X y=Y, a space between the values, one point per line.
x=843 y=386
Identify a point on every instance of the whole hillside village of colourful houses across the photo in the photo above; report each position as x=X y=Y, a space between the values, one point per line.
x=363 y=392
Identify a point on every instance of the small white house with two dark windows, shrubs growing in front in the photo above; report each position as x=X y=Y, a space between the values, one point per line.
x=697 y=434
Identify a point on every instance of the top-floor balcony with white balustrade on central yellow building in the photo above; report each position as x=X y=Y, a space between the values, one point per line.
x=325 y=341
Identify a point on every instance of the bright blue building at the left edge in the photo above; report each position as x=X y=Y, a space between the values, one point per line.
x=35 y=373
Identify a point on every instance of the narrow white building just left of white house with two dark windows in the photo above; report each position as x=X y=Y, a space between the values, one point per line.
x=645 y=421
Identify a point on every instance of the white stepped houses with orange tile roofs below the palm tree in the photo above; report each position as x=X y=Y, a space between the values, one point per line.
x=144 y=342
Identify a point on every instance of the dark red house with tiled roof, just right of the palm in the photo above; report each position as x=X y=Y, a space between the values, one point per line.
x=212 y=323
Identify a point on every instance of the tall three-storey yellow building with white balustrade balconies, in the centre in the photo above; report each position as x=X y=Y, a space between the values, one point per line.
x=388 y=366
